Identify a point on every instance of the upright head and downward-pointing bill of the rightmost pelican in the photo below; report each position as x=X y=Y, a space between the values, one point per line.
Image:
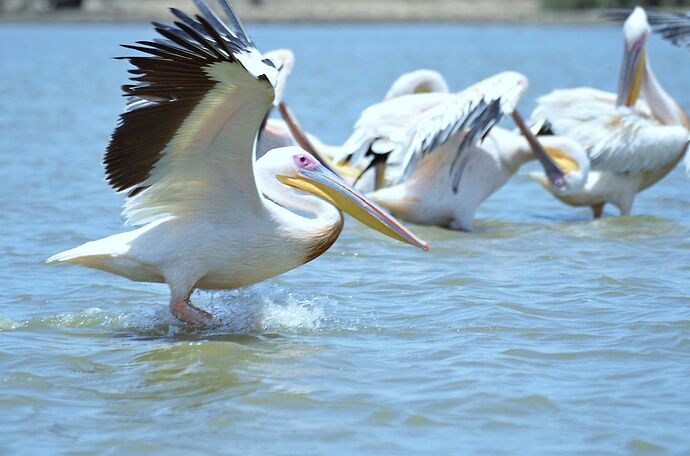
x=635 y=33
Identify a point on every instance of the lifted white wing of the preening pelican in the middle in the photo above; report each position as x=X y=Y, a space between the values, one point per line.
x=406 y=128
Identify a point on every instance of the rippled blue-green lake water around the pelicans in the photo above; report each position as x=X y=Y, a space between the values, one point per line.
x=542 y=332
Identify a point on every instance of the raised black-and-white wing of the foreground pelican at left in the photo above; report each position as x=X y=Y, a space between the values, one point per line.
x=184 y=144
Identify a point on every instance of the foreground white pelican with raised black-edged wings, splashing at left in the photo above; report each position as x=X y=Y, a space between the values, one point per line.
x=211 y=217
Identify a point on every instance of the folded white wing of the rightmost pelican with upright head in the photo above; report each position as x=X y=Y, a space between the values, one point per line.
x=617 y=139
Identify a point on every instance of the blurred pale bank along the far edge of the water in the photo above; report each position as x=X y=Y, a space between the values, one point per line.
x=321 y=11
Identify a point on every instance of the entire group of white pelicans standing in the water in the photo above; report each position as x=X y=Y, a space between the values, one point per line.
x=221 y=195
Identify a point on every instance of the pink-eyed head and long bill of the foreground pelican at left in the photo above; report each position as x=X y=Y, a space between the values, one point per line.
x=299 y=170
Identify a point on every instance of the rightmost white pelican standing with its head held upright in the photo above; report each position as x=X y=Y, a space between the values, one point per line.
x=631 y=143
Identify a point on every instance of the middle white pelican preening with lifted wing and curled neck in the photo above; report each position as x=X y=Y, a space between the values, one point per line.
x=430 y=169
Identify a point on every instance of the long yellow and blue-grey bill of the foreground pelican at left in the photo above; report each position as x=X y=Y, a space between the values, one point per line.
x=327 y=185
